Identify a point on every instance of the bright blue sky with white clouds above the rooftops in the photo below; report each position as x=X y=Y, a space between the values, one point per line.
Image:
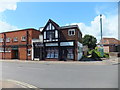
x=20 y=15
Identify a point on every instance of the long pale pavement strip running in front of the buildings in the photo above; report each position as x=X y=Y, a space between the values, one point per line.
x=110 y=61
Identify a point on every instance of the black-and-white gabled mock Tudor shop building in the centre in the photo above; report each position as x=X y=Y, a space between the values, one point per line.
x=59 y=43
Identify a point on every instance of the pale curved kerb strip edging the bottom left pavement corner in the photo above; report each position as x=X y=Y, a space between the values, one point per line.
x=22 y=84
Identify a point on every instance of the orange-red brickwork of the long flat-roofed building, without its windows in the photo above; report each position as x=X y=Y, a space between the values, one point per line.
x=22 y=50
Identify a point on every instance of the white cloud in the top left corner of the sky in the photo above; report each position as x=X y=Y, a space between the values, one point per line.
x=8 y=5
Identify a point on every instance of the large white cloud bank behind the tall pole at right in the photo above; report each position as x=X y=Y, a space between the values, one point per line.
x=110 y=27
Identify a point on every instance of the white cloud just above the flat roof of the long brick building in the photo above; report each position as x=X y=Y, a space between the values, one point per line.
x=4 y=26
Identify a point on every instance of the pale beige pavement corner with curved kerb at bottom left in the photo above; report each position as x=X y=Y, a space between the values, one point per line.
x=15 y=84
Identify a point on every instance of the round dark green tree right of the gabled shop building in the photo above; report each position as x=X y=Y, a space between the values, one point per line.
x=90 y=41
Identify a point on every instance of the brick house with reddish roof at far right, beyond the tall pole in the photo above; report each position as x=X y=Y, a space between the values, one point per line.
x=110 y=44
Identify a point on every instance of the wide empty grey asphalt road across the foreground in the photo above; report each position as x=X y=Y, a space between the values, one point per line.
x=51 y=75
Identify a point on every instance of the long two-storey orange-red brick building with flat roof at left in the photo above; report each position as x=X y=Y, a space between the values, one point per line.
x=17 y=44
